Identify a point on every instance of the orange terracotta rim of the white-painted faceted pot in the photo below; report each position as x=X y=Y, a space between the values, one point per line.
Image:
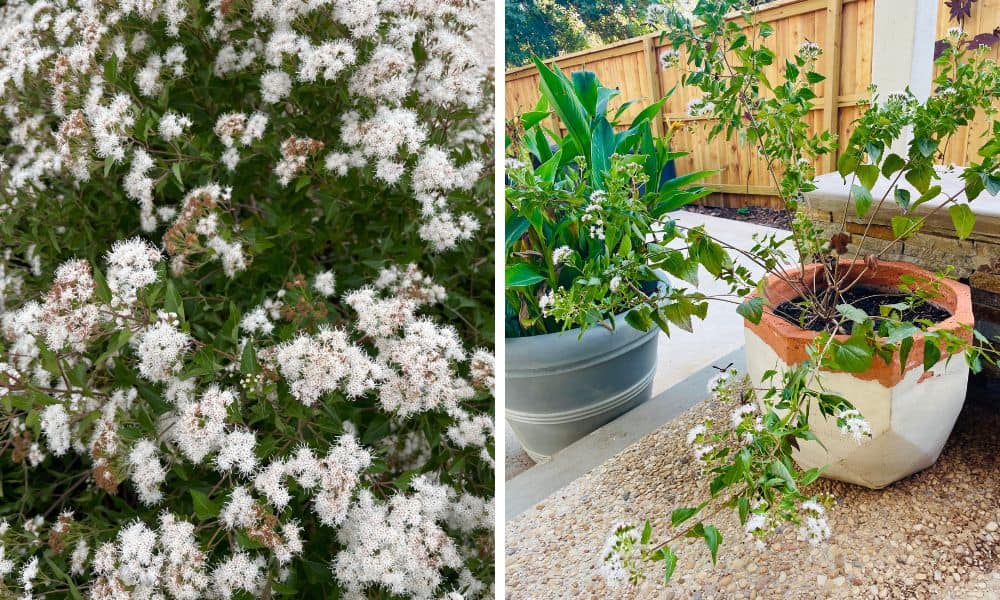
x=789 y=341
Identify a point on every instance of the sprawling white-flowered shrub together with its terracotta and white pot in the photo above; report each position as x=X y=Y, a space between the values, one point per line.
x=854 y=362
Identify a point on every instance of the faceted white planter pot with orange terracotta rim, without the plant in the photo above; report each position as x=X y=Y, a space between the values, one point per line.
x=911 y=412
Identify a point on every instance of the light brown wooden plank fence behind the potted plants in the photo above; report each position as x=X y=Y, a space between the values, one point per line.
x=843 y=28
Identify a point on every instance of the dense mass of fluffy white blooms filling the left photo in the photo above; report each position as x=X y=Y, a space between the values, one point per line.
x=245 y=299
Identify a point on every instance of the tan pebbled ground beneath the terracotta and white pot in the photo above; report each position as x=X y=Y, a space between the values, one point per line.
x=932 y=535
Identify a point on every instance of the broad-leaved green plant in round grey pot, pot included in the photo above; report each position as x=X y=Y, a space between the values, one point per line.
x=584 y=244
